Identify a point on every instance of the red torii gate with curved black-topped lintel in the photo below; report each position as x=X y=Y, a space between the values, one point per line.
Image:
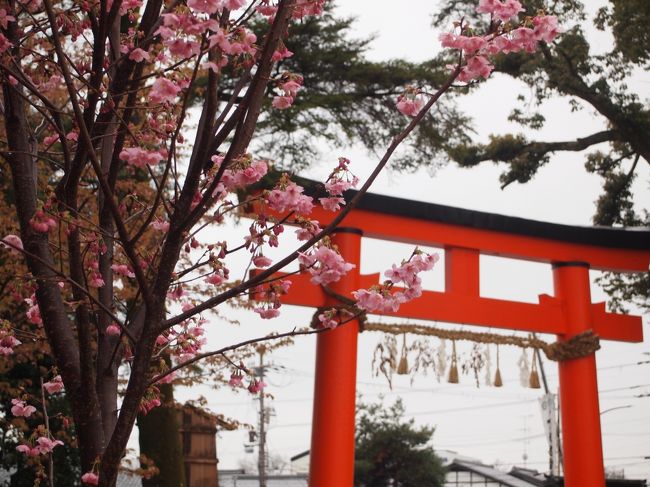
x=464 y=235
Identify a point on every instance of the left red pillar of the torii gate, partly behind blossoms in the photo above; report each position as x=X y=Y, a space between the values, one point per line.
x=332 y=440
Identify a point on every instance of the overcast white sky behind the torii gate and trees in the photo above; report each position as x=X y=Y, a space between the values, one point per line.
x=494 y=425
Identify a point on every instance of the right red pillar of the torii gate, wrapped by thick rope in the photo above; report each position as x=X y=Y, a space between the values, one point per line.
x=581 y=436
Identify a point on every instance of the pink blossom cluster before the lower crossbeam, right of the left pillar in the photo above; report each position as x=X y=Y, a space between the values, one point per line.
x=387 y=298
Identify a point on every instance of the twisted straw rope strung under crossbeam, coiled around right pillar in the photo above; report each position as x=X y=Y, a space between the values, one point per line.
x=578 y=346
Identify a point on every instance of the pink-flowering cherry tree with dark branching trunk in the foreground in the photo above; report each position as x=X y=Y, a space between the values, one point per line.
x=111 y=189
